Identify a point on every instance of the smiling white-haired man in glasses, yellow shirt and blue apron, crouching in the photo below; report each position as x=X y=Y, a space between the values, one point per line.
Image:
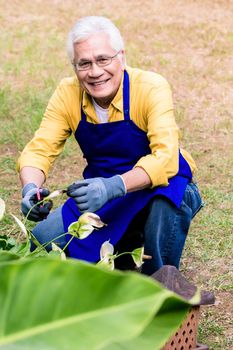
x=136 y=179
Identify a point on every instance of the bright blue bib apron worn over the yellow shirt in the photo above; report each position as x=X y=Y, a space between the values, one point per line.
x=110 y=149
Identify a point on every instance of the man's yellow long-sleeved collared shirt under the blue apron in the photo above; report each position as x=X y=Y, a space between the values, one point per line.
x=151 y=109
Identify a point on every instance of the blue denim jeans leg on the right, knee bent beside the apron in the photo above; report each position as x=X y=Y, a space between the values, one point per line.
x=166 y=229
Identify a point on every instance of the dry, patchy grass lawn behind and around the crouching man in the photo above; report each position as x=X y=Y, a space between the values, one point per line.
x=190 y=43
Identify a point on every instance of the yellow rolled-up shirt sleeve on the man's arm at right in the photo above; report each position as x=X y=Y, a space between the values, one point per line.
x=162 y=133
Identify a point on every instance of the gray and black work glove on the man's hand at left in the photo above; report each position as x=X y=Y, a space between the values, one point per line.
x=31 y=195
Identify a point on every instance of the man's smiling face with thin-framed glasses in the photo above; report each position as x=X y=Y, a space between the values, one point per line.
x=101 y=83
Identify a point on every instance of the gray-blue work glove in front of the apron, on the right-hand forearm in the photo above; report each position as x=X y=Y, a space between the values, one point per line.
x=91 y=194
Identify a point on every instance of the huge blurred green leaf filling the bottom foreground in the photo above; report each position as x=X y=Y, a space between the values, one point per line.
x=52 y=304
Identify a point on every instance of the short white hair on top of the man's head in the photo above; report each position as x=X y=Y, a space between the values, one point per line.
x=90 y=25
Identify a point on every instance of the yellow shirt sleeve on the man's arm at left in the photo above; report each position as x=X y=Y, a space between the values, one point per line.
x=49 y=139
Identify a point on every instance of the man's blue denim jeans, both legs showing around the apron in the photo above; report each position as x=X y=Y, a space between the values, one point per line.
x=160 y=226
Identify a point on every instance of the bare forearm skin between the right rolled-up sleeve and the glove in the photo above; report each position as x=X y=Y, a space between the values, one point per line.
x=136 y=179
